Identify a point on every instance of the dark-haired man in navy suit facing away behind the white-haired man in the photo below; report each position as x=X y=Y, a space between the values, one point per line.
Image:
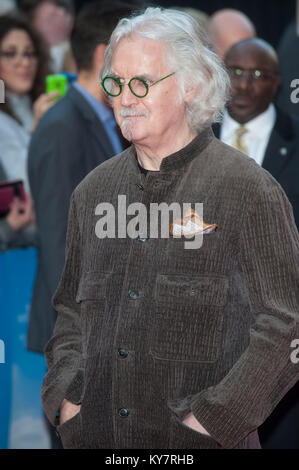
x=76 y=135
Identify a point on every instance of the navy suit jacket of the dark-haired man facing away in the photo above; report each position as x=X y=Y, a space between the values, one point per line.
x=68 y=143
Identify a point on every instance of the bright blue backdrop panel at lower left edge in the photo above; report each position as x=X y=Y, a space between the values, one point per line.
x=22 y=423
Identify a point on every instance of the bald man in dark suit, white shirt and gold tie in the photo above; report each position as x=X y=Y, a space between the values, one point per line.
x=252 y=124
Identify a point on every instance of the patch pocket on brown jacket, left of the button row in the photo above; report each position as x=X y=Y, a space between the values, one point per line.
x=92 y=294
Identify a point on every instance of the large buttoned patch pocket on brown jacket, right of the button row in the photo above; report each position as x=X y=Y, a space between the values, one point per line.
x=189 y=317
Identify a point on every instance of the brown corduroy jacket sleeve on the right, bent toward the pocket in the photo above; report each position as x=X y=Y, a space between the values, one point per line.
x=269 y=257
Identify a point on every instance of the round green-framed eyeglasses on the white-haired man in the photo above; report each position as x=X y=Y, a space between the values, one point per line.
x=113 y=86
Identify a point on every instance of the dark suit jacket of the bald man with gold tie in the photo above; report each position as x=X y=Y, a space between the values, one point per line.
x=282 y=156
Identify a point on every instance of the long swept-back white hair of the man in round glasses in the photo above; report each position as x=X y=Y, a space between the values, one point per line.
x=195 y=64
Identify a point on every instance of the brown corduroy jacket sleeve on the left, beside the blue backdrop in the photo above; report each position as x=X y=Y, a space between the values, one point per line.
x=65 y=377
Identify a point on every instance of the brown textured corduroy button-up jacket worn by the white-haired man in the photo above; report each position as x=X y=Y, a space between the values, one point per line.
x=148 y=330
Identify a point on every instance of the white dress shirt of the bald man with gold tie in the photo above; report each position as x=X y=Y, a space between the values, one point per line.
x=257 y=137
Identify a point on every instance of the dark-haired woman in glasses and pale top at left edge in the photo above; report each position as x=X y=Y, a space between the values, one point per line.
x=23 y=67
